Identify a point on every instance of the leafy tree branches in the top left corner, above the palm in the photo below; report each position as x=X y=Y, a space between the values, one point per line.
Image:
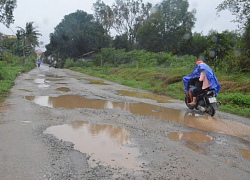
x=6 y=11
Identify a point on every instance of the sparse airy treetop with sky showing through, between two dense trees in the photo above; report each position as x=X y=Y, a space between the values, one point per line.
x=124 y=16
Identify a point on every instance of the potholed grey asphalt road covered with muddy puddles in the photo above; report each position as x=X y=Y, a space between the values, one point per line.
x=60 y=124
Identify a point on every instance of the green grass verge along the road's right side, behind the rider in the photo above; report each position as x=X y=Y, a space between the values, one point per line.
x=234 y=94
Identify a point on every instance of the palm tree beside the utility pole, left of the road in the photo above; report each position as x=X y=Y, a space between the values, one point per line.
x=29 y=37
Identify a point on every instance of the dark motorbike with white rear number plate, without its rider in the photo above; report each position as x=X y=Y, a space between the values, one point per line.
x=206 y=102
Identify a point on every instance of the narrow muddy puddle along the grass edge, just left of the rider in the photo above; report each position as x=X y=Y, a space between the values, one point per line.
x=158 y=98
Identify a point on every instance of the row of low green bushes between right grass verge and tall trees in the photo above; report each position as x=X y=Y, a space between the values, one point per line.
x=140 y=58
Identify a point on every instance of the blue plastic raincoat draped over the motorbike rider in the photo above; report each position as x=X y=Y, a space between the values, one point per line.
x=214 y=84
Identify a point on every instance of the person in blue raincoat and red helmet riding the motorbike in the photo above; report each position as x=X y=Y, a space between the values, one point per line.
x=207 y=80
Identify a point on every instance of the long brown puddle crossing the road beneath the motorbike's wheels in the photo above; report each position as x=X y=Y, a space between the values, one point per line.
x=205 y=123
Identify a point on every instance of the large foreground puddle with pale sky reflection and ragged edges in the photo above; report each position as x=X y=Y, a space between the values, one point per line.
x=105 y=144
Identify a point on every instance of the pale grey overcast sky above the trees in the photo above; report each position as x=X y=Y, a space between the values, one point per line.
x=47 y=14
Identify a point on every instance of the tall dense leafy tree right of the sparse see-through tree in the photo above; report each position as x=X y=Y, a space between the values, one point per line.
x=166 y=28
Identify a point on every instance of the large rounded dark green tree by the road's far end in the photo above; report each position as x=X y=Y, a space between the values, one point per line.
x=77 y=34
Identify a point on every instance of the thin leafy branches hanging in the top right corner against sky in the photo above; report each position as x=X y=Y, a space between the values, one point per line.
x=240 y=8
